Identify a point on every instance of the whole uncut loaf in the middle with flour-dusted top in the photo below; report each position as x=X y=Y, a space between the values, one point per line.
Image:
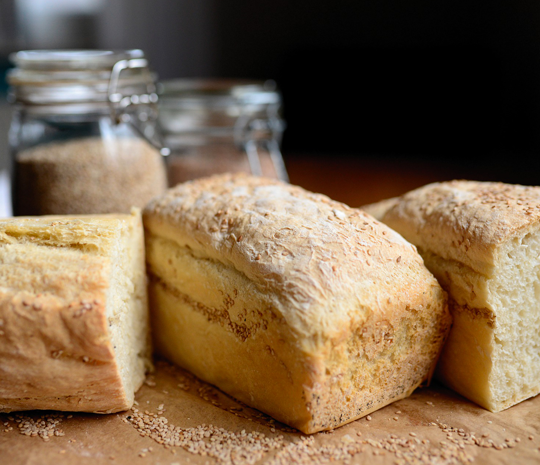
x=297 y=305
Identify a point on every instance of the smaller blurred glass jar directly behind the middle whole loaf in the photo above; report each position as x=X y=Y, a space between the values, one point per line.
x=216 y=126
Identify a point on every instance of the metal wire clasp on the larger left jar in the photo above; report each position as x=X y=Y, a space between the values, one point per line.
x=118 y=102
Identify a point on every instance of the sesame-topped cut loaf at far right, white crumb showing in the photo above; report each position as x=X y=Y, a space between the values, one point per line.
x=482 y=242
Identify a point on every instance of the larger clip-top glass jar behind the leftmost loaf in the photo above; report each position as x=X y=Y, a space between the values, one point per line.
x=83 y=134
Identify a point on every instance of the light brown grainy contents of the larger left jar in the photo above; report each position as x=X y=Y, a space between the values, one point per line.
x=89 y=175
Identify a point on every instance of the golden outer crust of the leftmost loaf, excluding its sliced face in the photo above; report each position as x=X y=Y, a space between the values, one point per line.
x=55 y=348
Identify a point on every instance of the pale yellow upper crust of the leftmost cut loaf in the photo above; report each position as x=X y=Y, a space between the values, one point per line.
x=69 y=249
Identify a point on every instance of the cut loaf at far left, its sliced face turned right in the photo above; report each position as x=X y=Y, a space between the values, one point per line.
x=74 y=331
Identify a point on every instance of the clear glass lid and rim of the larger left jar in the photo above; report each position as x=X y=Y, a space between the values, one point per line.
x=80 y=80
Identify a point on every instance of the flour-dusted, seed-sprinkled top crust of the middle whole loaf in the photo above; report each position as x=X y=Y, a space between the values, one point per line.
x=324 y=265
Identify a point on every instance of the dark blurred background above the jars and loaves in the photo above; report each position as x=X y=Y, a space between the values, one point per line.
x=448 y=85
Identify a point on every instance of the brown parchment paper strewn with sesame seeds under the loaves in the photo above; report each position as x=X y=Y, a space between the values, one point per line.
x=434 y=425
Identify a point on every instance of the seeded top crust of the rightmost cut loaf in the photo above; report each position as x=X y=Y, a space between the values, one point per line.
x=465 y=220
